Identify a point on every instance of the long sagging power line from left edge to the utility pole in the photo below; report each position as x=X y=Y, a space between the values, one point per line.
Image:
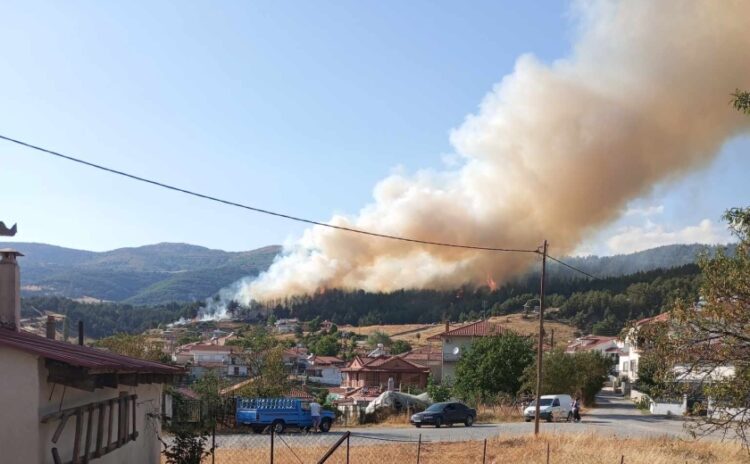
x=260 y=210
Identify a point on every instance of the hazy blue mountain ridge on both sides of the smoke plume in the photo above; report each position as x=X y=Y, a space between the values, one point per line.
x=167 y=272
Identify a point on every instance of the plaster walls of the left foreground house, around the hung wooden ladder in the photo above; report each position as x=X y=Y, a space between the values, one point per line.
x=27 y=397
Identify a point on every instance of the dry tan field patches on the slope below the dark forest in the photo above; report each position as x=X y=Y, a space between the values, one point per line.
x=417 y=334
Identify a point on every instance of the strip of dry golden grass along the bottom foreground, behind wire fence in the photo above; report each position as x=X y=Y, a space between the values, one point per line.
x=573 y=449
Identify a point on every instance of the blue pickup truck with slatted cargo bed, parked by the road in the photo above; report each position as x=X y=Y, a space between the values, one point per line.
x=279 y=413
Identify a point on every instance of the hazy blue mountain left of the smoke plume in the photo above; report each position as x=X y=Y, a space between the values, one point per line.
x=150 y=274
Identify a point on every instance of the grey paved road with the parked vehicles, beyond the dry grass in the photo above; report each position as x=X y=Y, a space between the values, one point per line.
x=613 y=416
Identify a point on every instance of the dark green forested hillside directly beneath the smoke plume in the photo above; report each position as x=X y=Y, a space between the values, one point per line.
x=600 y=306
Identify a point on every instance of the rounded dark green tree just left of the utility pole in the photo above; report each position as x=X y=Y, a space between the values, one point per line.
x=493 y=365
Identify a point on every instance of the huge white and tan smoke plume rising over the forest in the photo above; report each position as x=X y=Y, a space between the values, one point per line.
x=555 y=151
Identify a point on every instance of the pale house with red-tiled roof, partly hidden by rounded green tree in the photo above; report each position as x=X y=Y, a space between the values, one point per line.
x=456 y=341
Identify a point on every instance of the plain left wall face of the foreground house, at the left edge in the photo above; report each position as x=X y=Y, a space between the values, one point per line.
x=19 y=403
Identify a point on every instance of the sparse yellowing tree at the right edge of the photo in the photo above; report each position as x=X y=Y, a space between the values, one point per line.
x=706 y=345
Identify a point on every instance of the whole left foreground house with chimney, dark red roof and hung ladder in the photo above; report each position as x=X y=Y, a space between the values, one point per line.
x=71 y=403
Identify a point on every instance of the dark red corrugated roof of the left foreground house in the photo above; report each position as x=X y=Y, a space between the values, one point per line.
x=97 y=361
